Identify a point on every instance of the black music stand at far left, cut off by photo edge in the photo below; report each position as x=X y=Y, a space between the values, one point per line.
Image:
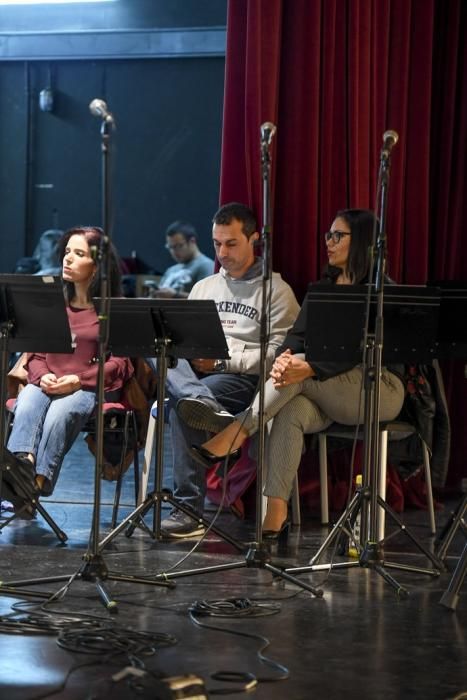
x=32 y=319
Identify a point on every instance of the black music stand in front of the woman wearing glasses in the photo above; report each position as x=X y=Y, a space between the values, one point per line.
x=335 y=324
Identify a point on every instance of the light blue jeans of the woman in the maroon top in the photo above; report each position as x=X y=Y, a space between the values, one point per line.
x=47 y=427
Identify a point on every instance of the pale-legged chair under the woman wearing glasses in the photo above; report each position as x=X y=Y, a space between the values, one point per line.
x=391 y=430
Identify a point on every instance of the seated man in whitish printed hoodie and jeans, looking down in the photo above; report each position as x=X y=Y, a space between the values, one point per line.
x=206 y=392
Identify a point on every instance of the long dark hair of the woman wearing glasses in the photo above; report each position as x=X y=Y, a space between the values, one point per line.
x=361 y=223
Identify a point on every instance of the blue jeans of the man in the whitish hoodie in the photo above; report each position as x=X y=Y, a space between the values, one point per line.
x=232 y=392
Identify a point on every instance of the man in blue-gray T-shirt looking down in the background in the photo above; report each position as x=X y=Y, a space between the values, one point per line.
x=191 y=264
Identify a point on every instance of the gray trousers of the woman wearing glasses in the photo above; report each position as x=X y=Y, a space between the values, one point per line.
x=309 y=407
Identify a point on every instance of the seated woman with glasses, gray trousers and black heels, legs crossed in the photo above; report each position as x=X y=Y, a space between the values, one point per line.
x=306 y=397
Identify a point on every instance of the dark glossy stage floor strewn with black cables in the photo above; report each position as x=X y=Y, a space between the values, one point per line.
x=361 y=639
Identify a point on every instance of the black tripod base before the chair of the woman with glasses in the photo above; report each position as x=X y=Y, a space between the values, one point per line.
x=370 y=554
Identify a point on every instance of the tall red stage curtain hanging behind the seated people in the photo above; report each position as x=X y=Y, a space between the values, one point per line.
x=333 y=75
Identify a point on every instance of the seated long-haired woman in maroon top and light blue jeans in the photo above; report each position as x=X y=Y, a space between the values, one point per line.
x=60 y=395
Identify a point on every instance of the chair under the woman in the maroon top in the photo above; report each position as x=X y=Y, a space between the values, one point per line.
x=119 y=419
